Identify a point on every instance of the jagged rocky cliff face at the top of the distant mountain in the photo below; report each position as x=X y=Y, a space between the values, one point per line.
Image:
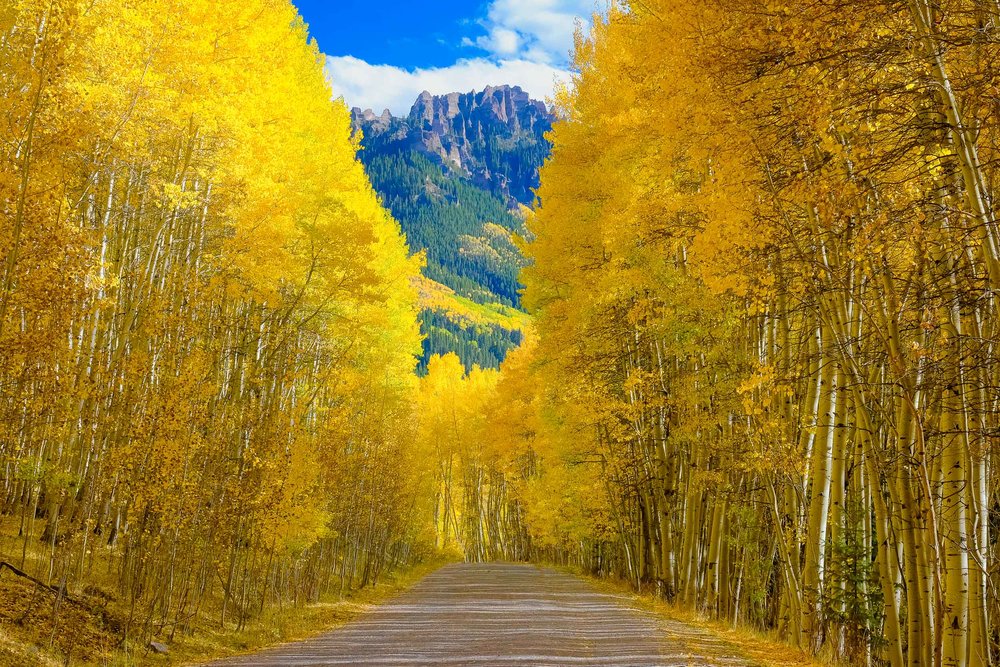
x=494 y=137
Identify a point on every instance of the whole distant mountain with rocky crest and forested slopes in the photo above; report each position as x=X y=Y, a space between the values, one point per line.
x=456 y=172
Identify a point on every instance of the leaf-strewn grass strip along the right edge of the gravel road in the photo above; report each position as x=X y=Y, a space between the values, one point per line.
x=758 y=647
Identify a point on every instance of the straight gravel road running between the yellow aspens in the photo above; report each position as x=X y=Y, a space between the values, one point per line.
x=503 y=615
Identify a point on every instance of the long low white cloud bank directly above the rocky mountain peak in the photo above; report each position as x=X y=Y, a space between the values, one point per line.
x=378 y=87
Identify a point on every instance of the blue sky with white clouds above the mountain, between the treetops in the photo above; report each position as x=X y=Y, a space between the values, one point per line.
x=383 y=54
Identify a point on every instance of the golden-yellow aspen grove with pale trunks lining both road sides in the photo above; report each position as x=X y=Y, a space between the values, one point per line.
x=762 y=379
